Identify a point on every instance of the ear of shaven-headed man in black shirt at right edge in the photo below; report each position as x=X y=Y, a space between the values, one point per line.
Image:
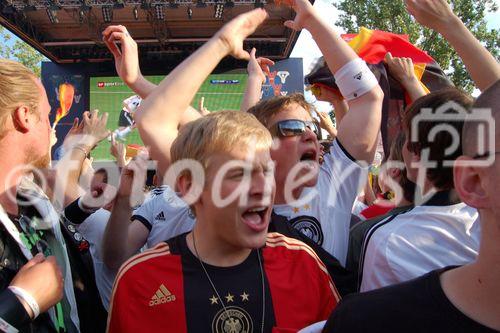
x=468 y=183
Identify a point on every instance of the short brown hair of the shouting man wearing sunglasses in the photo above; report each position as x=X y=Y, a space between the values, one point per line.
x=266 y=109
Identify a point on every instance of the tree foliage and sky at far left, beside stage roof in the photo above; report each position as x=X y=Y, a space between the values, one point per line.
x=15 y=49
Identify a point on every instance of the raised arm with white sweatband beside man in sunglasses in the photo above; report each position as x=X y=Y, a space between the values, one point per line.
x=360 y=126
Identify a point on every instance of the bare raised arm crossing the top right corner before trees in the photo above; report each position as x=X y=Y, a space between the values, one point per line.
x=437 y=15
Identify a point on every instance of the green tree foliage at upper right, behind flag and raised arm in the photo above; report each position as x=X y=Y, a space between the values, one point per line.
x=392 y=16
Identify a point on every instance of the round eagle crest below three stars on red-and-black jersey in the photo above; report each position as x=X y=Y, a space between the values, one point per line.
x=236 y=320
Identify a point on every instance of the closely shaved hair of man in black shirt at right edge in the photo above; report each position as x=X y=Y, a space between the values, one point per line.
x=489 y=99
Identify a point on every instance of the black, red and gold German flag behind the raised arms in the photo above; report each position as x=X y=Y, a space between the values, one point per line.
x=372 y=46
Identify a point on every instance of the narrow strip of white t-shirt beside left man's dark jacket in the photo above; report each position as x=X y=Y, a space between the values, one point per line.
x=92 y=229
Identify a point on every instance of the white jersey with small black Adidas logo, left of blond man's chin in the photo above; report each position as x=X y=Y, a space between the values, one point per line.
x=165 y=215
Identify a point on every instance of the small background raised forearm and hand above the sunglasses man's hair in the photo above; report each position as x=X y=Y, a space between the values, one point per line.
x=256 y=78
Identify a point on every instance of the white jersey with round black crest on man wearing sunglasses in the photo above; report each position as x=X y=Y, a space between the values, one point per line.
x=326 y=216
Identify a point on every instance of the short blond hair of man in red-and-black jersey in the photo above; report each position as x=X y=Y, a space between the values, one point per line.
x=218 y=132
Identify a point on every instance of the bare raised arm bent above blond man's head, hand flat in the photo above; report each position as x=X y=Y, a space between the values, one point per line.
x=160 y=114
